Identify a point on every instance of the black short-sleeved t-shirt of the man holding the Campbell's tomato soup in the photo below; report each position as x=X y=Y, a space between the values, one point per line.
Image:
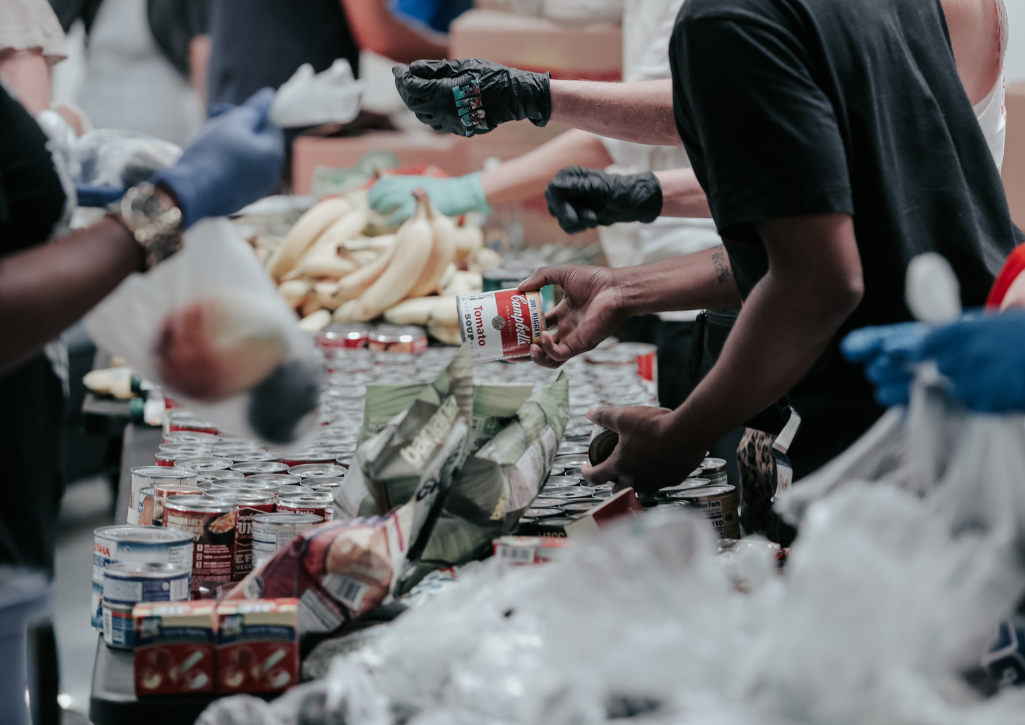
x=805 y=107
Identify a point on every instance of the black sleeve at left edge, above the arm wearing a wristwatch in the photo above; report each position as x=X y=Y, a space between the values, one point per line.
x=31 y=196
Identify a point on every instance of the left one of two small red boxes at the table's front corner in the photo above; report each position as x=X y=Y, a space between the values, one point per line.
x=175 y=652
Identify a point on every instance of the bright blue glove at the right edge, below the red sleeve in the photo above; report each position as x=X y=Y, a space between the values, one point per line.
x=985 y=358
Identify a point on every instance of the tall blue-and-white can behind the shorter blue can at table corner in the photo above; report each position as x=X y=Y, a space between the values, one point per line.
x=134 y=544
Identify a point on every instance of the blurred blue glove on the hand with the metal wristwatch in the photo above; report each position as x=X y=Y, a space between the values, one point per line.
x=234 y=160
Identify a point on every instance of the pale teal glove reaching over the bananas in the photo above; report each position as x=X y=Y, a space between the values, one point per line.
x=394 y=196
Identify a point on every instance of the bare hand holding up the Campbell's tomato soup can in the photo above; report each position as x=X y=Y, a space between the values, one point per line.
x=591 y=311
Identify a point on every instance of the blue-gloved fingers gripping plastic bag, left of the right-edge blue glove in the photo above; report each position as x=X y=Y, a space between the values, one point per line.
x=890 y=353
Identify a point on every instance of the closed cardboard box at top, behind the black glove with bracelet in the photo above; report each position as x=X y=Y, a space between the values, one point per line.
x=588 y=53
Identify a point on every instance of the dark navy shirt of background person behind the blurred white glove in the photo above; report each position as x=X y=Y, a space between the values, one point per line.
x=258 y=44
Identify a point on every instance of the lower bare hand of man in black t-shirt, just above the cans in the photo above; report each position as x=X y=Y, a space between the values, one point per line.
x=649 y=456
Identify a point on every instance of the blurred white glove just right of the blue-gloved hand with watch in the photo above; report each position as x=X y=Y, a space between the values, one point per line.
x=309 y=100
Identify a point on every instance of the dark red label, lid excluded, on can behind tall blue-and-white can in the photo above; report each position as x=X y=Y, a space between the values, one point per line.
x=214 y=534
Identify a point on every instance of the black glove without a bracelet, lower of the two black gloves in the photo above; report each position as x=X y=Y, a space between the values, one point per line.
x=584 y=198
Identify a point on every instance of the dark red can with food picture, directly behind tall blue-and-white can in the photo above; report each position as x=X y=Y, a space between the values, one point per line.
x=213 y=522
